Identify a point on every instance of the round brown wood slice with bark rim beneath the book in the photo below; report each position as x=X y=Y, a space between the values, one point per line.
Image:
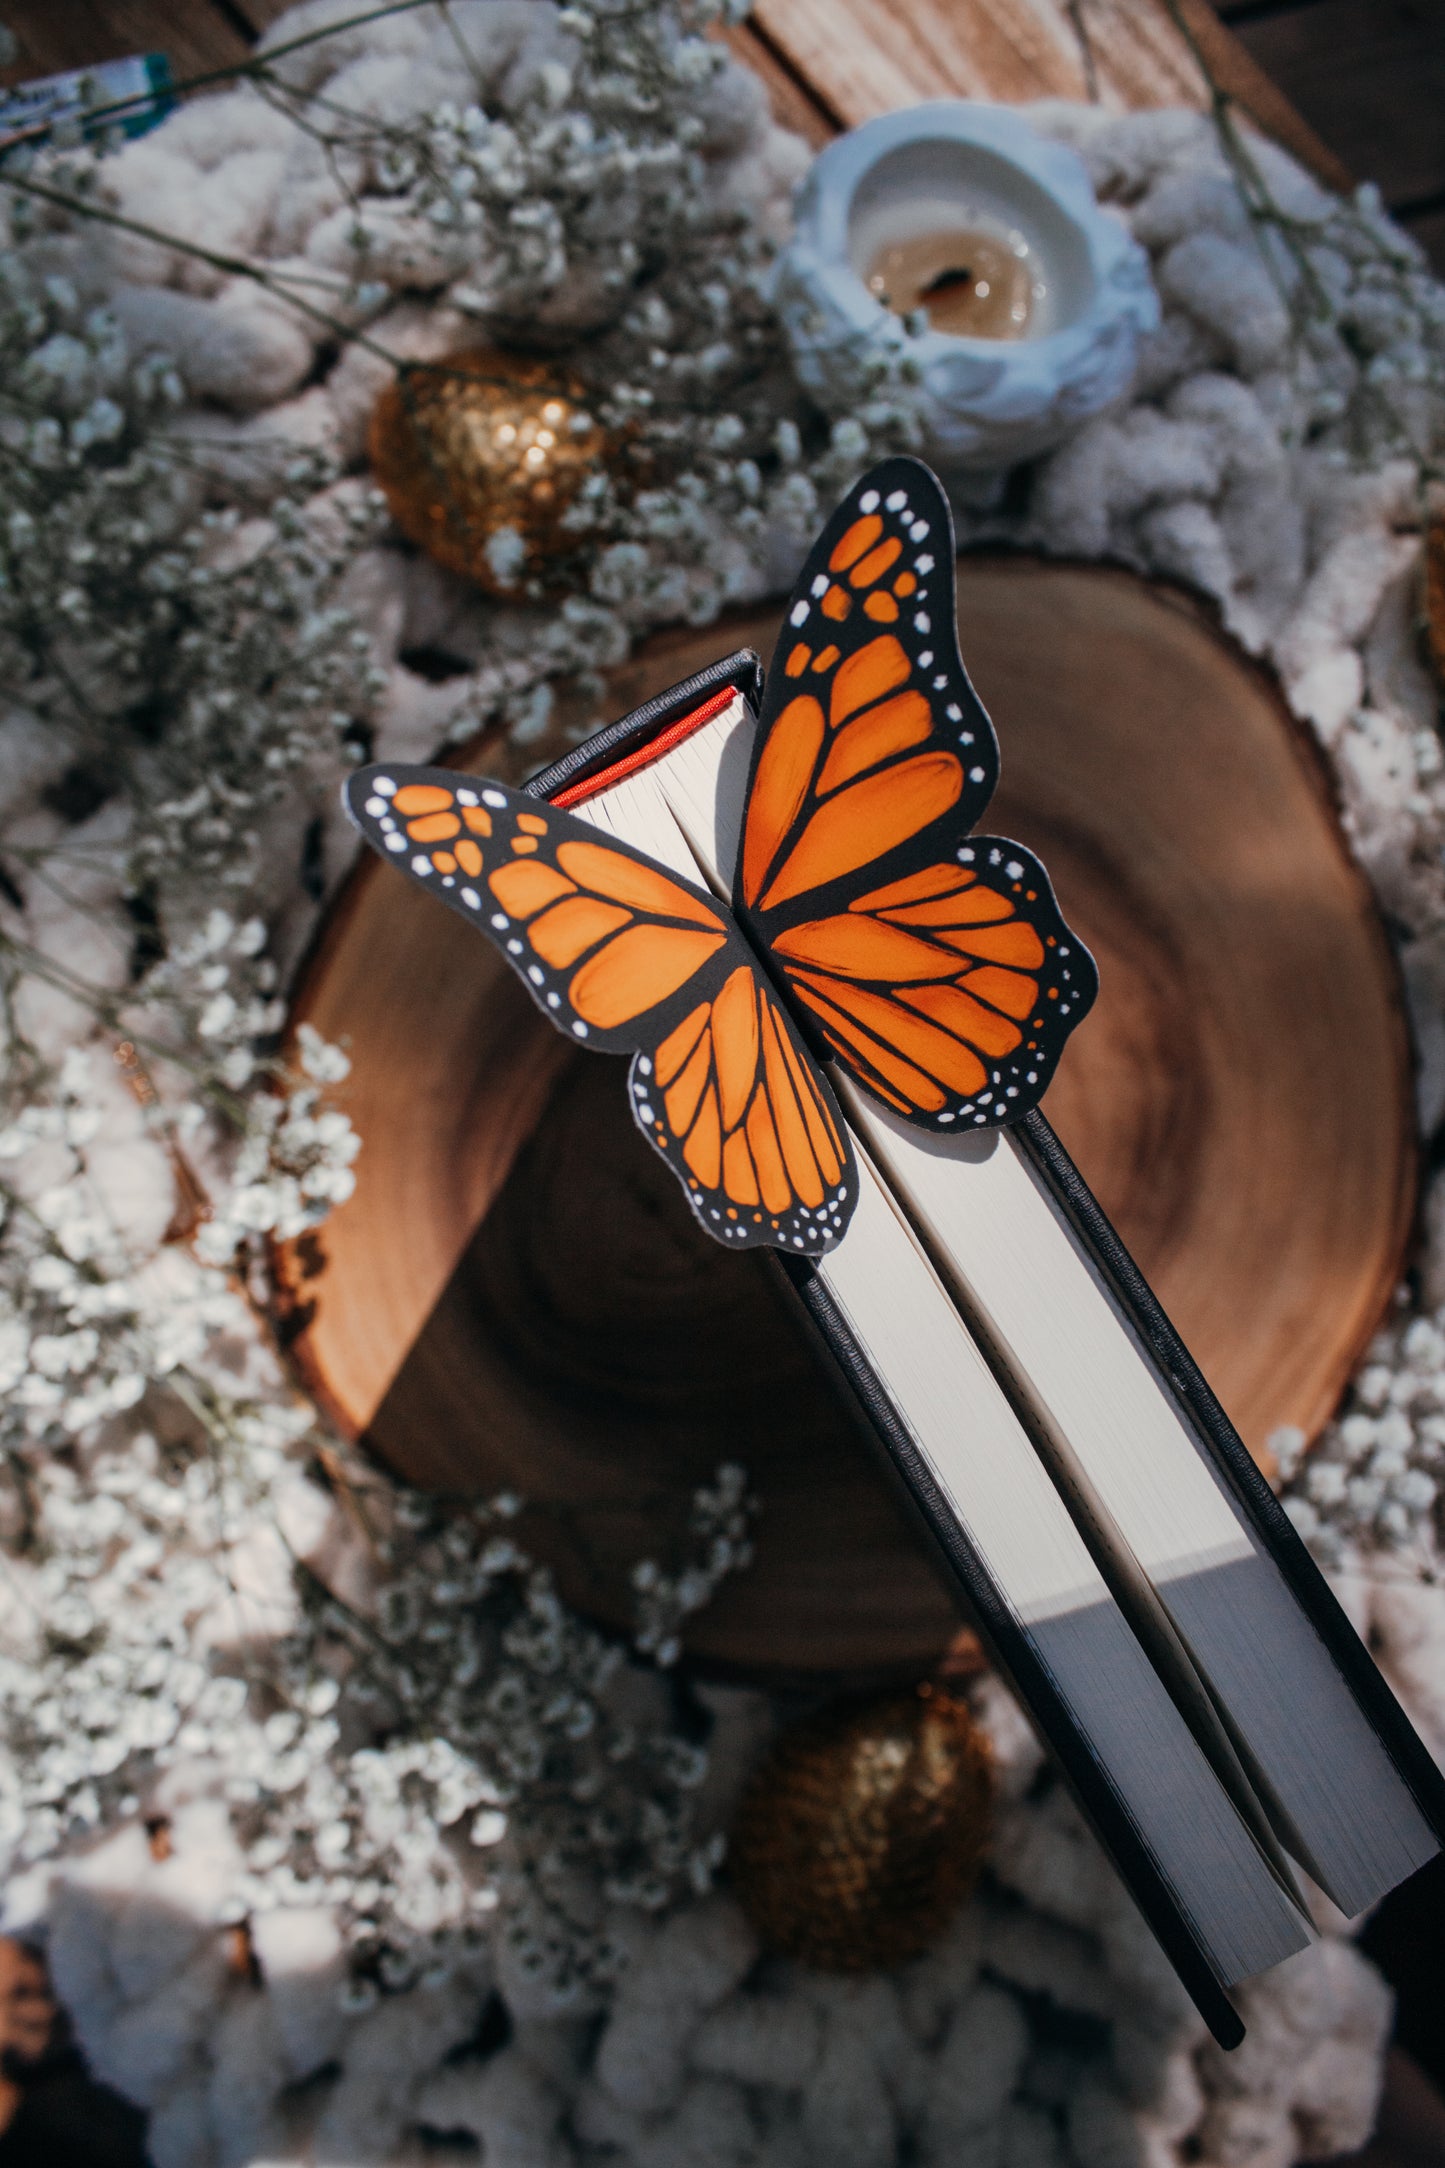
x=517 y=1295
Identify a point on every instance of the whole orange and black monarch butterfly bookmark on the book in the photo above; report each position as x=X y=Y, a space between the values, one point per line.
x=868 y=925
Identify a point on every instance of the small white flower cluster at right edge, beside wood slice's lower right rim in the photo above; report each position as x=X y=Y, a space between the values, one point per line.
x=1375 y=1477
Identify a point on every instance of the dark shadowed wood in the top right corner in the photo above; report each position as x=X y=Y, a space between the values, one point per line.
x=1370 y=77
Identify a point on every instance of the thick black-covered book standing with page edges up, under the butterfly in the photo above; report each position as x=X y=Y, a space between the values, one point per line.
x=1125 y=1562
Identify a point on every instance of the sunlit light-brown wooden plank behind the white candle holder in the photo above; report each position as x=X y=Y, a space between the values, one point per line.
x=868 y=57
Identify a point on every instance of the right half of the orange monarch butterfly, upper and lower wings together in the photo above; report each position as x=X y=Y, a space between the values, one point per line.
x=933 y=964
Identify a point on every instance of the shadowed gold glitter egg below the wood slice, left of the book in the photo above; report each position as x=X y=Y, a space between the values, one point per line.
x=863 y=1831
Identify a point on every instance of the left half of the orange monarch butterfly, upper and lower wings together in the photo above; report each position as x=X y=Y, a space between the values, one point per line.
x=627 y=957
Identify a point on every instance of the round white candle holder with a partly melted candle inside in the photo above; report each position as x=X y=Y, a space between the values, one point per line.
x=1028 y=335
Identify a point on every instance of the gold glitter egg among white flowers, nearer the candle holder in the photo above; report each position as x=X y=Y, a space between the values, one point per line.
x=480 y=456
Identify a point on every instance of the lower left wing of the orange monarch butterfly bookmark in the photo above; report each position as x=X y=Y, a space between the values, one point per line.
x=740 y=1111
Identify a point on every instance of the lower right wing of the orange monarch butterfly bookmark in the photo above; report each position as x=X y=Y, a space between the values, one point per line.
x=948 y=992
